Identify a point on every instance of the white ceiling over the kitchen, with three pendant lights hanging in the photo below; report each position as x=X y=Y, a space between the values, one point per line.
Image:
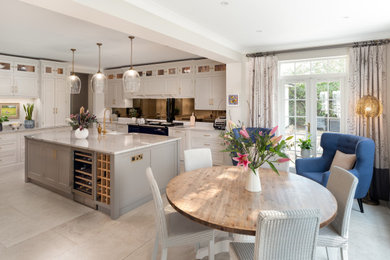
x=31 y=31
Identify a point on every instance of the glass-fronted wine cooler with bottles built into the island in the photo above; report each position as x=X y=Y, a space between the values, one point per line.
x=83 y=174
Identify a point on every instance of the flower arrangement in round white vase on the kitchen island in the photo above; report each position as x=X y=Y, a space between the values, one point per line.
x=81 y=122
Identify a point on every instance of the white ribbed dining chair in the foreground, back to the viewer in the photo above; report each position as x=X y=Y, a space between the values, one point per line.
x=281 y=235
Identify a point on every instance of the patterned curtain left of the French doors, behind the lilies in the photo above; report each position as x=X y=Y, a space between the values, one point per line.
x=263 y=87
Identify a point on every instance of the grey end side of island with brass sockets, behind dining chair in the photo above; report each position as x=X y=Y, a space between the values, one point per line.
x=129 y=184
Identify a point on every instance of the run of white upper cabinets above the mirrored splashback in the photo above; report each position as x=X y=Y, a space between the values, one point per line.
x=203 y=80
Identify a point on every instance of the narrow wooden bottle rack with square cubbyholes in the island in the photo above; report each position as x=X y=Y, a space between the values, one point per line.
x=103 y=178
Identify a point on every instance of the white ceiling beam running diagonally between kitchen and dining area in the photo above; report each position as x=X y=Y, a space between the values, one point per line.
x=127 y=18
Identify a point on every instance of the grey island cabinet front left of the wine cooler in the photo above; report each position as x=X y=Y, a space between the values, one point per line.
x=49 y=165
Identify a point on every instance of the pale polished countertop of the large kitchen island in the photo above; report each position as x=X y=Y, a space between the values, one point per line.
x=114 y=143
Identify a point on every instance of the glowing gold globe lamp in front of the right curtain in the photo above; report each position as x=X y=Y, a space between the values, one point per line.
x=369 y=107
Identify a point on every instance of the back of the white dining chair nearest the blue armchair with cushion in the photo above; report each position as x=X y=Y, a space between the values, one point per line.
x=342 y=184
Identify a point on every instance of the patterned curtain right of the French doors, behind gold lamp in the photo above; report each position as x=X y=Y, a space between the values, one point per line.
x=368 y=77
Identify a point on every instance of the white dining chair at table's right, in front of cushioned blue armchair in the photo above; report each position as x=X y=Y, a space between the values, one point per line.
x=342 y=184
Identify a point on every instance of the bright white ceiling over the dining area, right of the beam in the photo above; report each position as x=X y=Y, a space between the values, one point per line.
x=263 y=25
